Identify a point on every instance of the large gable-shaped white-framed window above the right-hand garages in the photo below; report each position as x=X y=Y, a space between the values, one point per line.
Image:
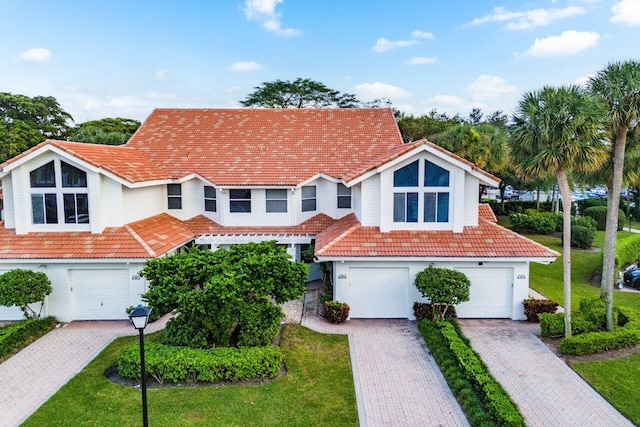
x=427 y=187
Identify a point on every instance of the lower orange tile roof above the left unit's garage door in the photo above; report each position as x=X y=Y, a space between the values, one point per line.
x=143 y=239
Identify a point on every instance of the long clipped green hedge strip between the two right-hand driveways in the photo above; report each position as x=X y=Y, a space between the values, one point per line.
x=468 y=376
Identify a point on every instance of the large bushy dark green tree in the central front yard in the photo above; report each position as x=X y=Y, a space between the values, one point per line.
x=224 y=297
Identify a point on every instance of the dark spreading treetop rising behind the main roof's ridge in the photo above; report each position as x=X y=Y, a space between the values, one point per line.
x=301 y=93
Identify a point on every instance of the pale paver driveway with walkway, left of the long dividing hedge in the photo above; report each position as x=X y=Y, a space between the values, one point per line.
x=397 y=381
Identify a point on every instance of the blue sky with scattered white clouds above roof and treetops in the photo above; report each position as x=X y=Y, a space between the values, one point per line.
x=123 y=58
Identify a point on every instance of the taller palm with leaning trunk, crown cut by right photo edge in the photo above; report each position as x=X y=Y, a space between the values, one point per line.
x=618 y=85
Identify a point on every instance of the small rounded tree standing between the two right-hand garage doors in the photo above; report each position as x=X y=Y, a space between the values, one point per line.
x=443 y=287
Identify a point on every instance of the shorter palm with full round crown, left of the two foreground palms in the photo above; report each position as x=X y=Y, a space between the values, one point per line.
x=556 y=131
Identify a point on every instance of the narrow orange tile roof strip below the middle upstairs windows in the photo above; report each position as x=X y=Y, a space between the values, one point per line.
x=201 y=225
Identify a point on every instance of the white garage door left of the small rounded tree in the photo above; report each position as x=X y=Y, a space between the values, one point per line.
x=378 y=292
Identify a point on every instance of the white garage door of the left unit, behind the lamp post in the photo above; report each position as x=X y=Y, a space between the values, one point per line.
x=100 y=294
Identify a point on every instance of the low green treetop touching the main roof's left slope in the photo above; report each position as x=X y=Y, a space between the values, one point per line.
x=107 y=131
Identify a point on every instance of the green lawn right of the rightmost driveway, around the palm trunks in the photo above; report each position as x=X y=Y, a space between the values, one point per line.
x=618 y=380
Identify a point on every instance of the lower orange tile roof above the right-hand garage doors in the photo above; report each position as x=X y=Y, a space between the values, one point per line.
x=347 y=238
